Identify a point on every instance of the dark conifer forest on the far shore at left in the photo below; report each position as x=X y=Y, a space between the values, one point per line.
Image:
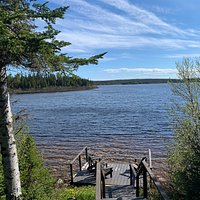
x=45 y=80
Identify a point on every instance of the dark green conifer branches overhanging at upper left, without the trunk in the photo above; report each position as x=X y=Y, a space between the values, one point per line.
x=25 y=44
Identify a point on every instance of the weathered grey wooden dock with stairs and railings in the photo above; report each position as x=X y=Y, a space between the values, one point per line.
x=115 y=181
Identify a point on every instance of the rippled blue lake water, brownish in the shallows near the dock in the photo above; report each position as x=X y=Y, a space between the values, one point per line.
x=117 y=122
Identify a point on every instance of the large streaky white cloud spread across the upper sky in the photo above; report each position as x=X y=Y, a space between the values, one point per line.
x=91 y=26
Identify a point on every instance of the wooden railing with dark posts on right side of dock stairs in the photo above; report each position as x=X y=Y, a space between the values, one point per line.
x=144 y=170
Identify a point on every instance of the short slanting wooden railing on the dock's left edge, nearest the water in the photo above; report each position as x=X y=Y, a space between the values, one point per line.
x=83 y=152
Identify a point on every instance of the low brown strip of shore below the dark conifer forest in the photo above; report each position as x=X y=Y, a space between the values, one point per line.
x=51 y=90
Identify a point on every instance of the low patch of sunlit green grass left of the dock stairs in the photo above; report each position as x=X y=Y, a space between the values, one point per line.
x=77 y=193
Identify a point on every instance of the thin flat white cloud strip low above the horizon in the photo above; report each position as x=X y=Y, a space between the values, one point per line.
x=161 y=71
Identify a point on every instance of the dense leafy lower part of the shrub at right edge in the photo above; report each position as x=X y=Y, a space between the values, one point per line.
x=184 y=161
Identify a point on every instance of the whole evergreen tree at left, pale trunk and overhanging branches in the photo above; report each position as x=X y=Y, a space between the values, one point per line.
x=23 y=45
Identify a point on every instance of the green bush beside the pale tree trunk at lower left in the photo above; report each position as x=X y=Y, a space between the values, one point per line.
x=37 y=183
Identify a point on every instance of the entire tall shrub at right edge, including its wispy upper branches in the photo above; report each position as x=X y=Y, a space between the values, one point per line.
x=184 y=155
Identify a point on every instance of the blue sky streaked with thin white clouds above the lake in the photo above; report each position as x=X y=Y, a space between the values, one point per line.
x=143 y=38
